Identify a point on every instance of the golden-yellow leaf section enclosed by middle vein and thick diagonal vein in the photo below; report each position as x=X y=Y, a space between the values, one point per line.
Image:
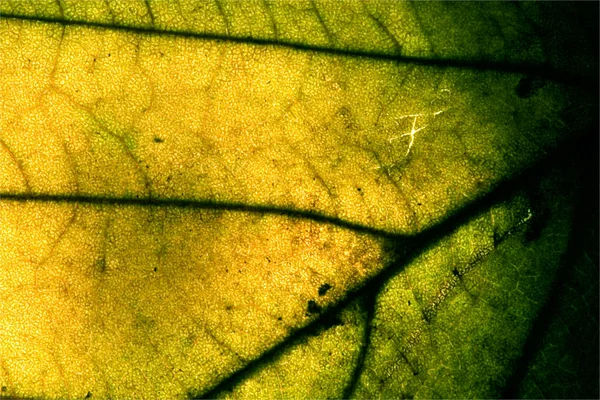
x=125 y=300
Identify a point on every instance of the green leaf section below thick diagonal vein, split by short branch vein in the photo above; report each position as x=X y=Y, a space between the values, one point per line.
x=454 y=304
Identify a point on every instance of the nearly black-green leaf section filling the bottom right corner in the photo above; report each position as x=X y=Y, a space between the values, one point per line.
x=561 y=356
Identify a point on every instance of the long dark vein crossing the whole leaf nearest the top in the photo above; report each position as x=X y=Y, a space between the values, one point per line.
x=588 y=82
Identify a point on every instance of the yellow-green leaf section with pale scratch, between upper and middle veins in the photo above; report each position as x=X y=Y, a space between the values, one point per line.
x=392 y=147
